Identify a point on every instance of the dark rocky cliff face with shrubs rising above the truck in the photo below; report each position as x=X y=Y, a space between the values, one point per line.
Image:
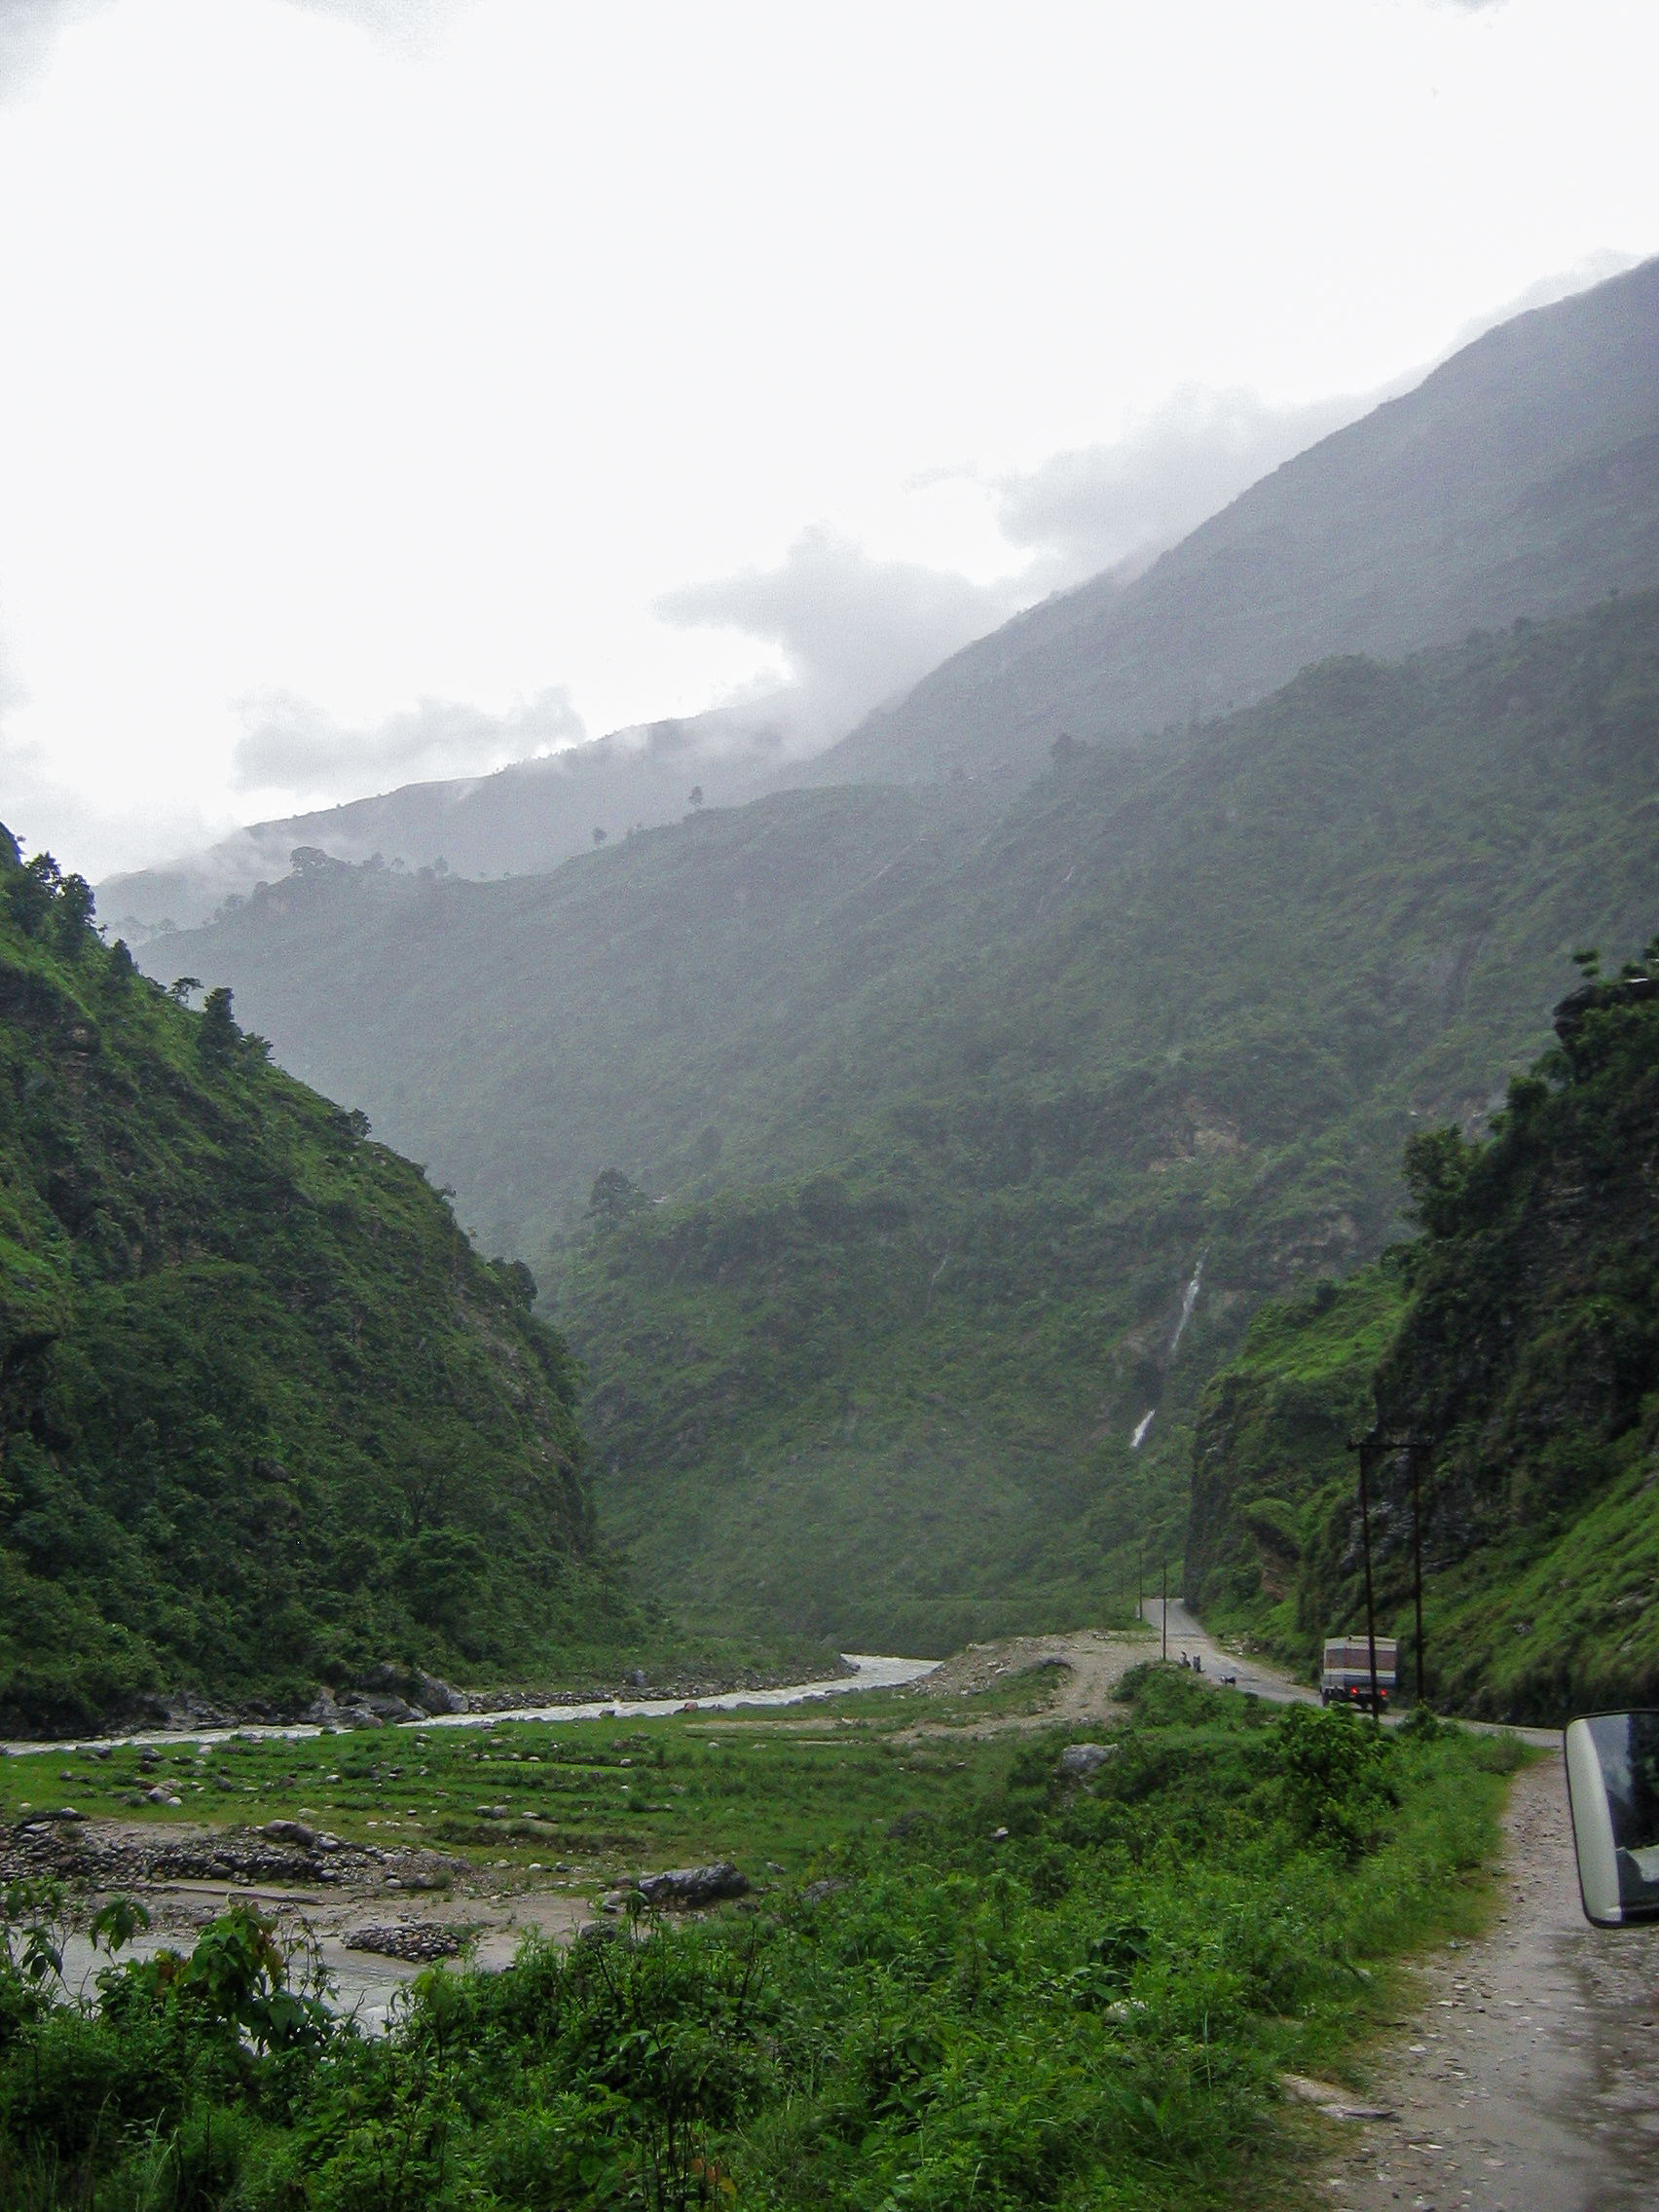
x=1534 y=1335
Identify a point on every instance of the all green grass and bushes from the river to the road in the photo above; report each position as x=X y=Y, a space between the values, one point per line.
x=961 y=1976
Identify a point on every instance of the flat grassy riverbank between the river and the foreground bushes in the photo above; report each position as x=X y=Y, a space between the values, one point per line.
x=755 y=1786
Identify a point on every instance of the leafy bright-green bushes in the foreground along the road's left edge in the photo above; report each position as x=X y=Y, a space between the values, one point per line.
x=1092 y=2007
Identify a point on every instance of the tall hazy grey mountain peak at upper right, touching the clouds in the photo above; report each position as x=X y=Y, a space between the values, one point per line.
x=1519 y=479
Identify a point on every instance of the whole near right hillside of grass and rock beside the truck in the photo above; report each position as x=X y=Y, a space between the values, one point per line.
x=1512 y=1359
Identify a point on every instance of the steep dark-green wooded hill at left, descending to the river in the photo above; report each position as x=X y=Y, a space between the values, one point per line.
x=264 y=1415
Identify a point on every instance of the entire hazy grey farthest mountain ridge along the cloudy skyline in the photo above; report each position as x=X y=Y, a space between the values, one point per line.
x=1519 y=479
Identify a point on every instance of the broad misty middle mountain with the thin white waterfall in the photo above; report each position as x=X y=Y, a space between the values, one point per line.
x=948 y=1120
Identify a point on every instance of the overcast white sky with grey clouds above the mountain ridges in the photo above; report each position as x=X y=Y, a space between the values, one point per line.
x=401 y=386
